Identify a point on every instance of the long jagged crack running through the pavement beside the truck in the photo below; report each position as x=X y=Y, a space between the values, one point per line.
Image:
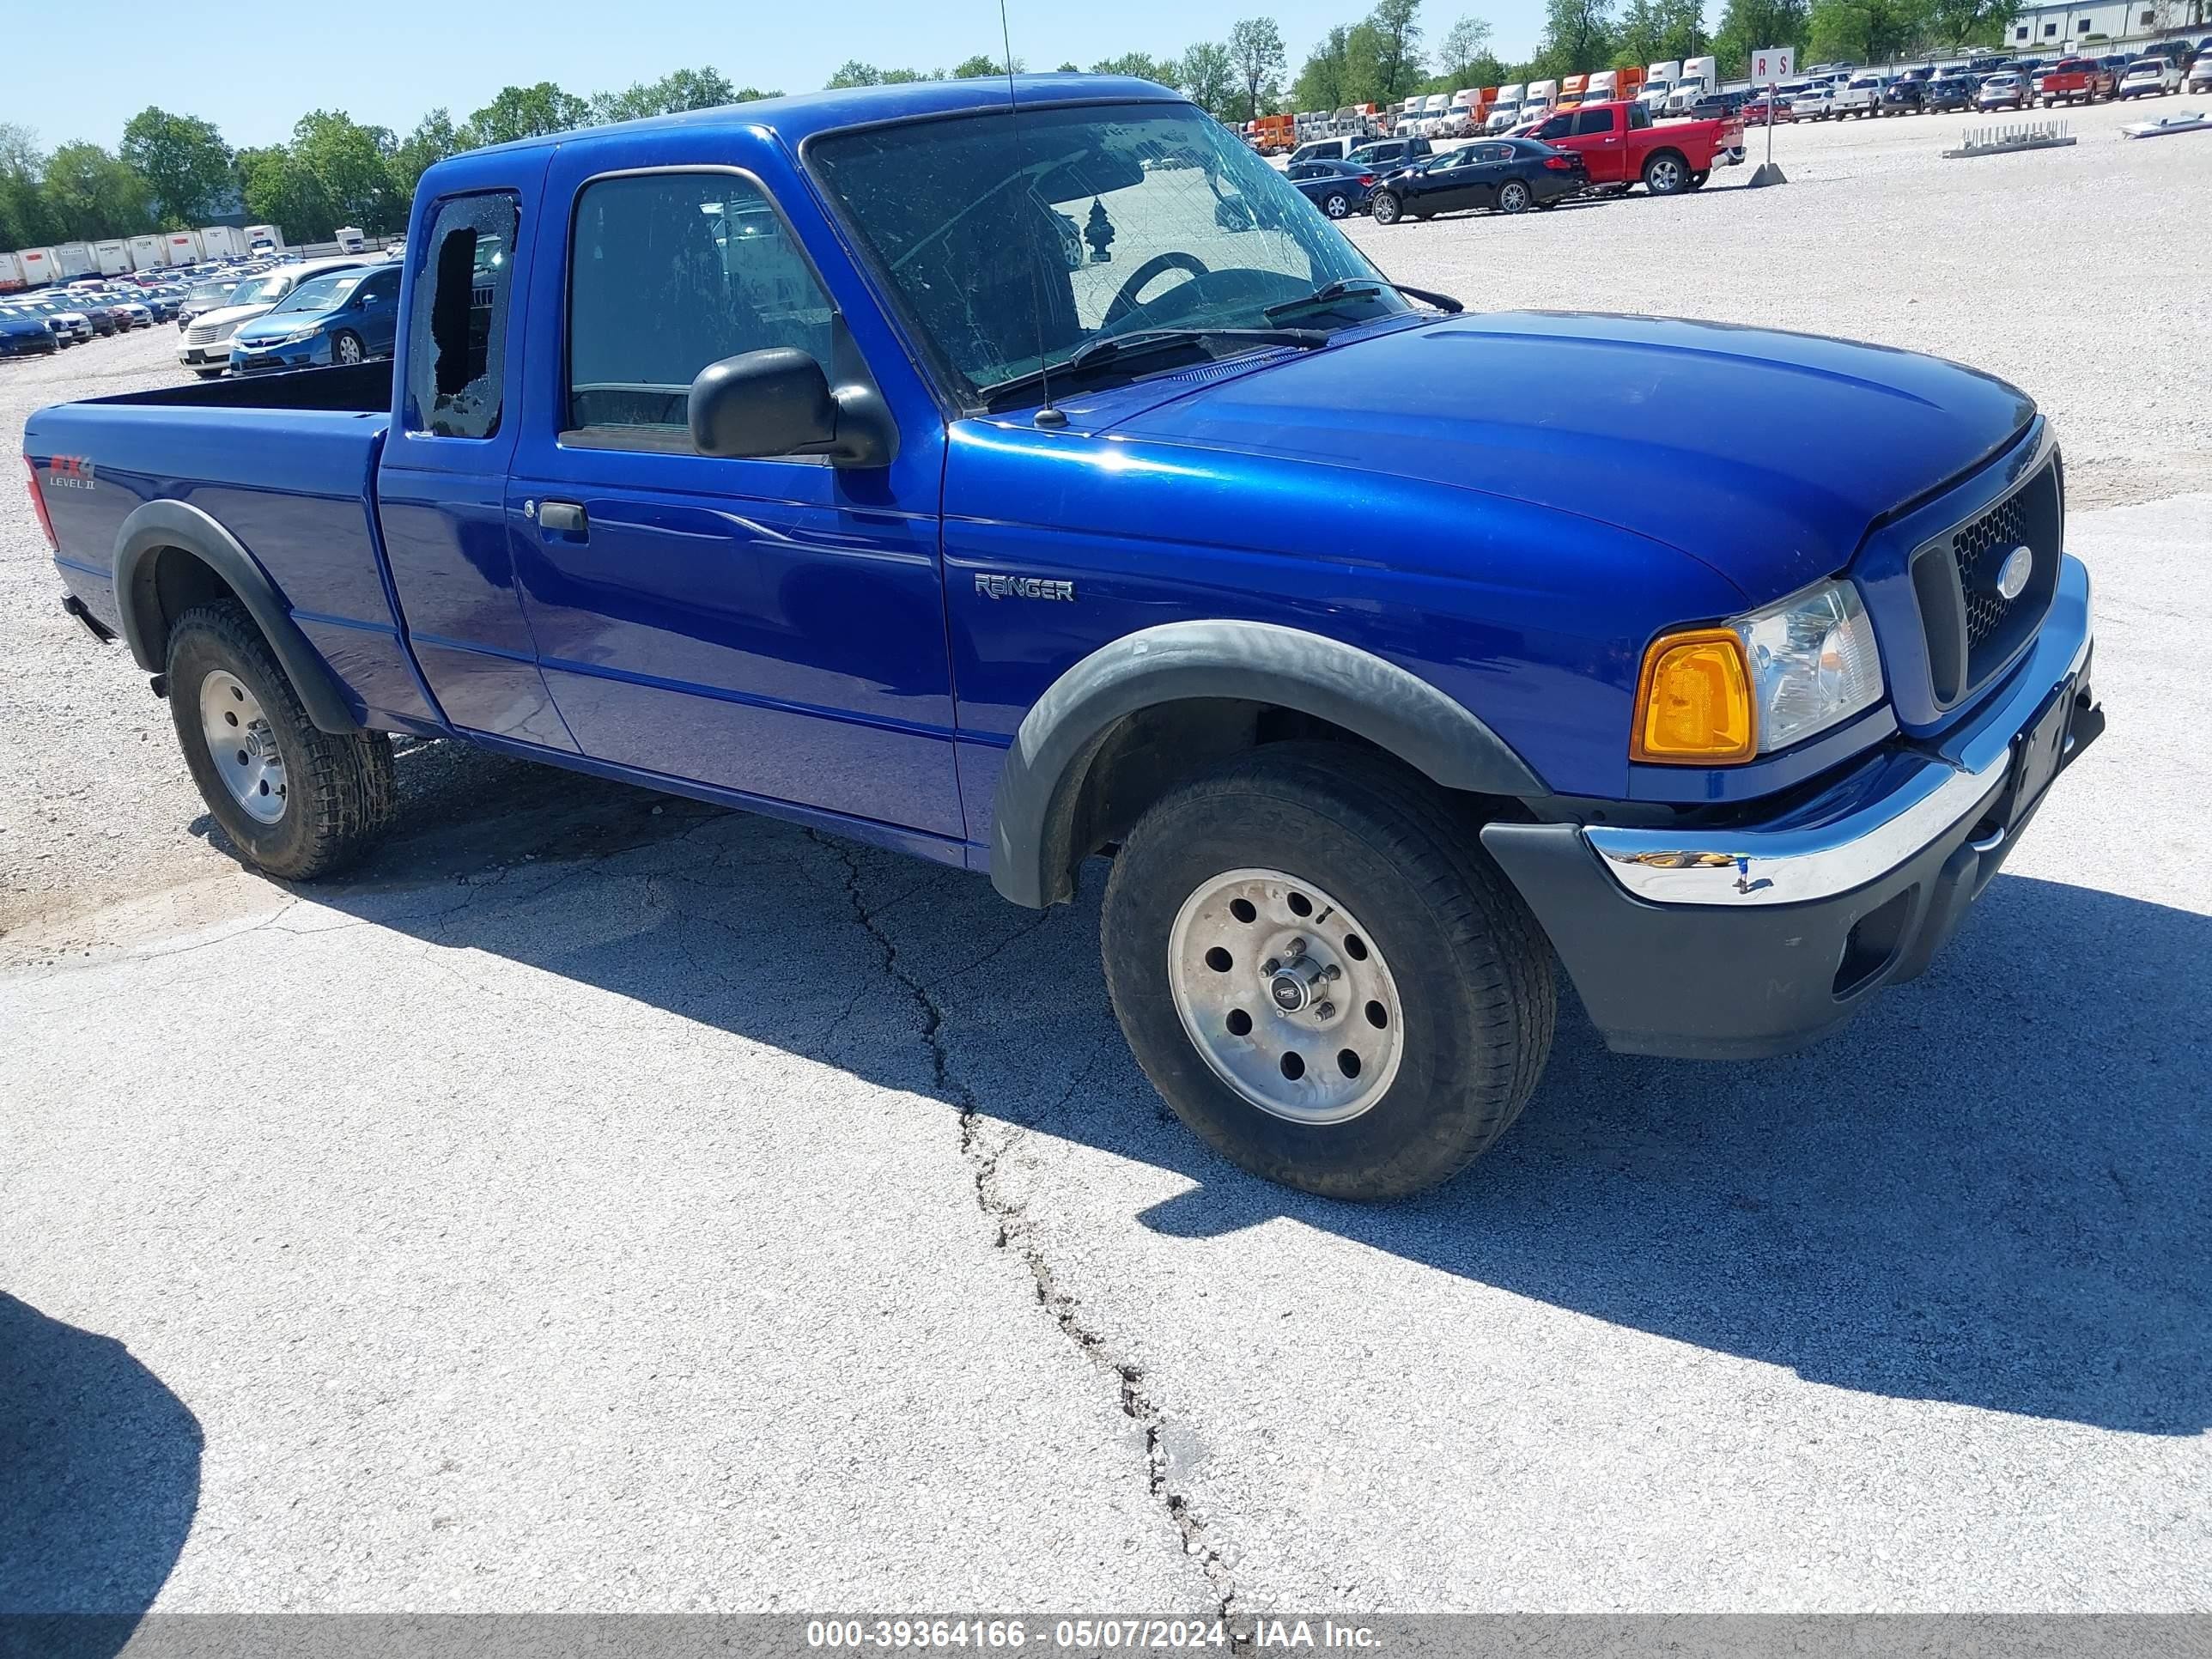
x=1012 y=1227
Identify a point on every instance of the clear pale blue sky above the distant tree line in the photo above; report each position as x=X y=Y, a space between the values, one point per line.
x=255 y=70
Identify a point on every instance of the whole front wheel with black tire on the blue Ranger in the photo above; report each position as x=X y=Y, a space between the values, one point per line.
x=1468 y=977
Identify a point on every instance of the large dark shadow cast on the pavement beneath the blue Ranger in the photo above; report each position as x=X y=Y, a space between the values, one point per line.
x=1994 y=1191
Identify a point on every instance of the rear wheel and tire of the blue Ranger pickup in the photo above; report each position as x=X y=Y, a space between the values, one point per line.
x=324 y=802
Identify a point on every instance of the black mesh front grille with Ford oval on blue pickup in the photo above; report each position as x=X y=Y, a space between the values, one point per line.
x=1972 y=629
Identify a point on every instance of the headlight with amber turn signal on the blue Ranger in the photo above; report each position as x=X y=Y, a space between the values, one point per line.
x=1757 y=682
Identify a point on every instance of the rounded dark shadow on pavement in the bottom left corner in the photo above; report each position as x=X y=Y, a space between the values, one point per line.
x=98 y=1485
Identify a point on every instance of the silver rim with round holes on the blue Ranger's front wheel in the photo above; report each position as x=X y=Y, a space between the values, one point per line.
x=1286 y=997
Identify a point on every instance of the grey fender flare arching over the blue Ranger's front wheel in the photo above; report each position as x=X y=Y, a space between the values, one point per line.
x=1260 y=662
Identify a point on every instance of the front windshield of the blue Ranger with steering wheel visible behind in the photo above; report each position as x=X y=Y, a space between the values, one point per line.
x=1014 y=242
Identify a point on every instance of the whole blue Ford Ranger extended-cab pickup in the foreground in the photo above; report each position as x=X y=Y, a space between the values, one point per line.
x=1025 y=472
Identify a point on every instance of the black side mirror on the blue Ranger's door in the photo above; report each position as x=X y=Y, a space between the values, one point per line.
x=780 y=404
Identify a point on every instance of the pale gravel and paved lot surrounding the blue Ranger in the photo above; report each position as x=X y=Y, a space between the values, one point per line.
x=616 y=1204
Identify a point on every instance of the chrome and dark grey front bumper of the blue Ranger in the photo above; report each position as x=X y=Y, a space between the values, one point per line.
x=1766 y=937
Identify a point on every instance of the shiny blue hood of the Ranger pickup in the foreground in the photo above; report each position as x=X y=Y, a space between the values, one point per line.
x=1764 y=455
